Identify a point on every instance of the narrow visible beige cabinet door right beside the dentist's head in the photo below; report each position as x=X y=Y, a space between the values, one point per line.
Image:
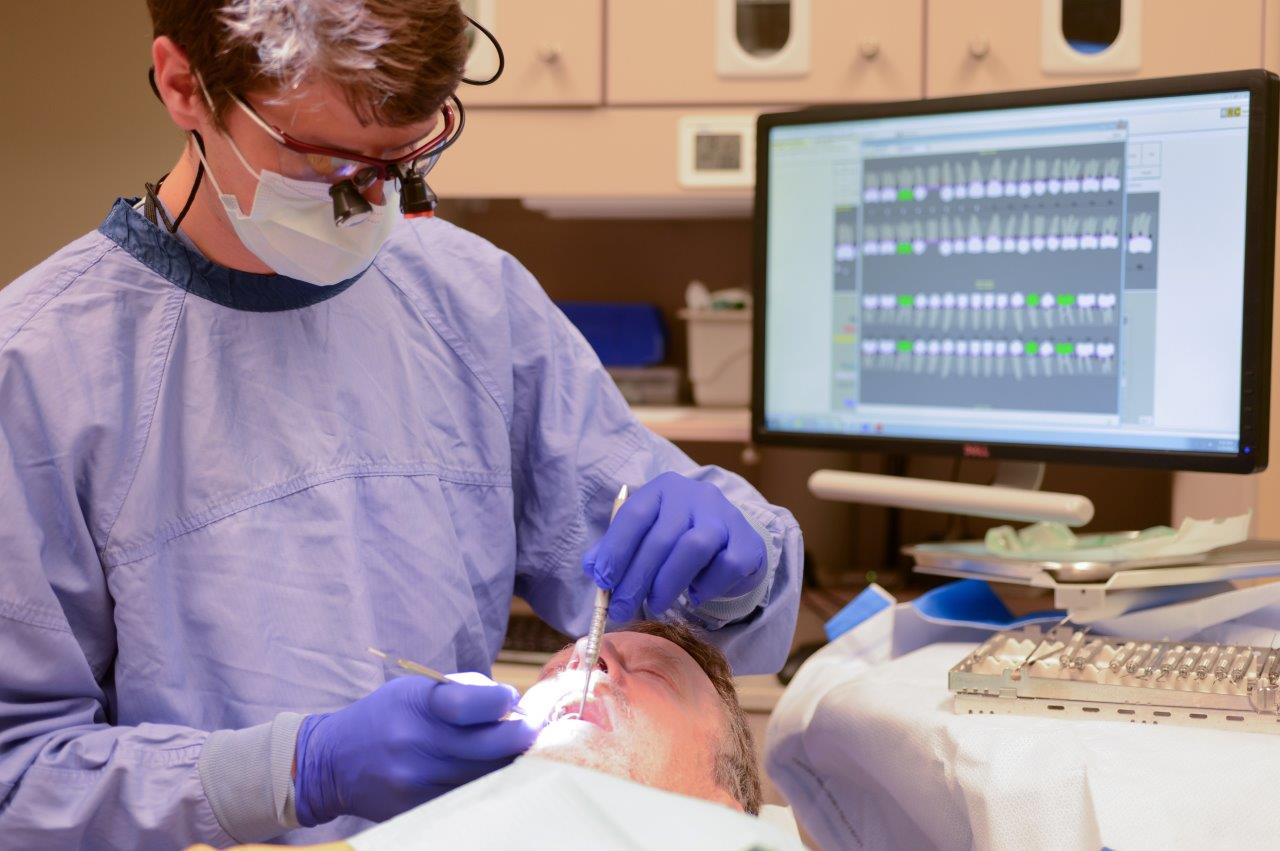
x=554 y=51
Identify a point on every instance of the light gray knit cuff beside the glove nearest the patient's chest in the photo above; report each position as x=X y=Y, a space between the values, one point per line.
x=249 y=779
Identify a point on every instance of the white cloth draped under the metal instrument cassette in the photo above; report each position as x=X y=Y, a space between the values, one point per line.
x=867 y=749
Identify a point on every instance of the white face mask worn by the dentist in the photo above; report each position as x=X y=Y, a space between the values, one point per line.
x=291 y=228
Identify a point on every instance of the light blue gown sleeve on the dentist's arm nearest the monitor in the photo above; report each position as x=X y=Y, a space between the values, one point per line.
x=574 y=443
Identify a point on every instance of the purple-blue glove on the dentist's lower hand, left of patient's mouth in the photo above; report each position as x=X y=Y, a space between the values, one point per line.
x=409 y=742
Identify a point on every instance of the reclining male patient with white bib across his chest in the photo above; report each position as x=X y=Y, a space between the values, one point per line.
x=664 y=720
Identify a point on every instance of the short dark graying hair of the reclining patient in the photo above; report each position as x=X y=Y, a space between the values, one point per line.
x=737 y=768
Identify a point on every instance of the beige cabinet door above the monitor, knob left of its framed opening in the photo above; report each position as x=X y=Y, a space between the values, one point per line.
x=995 y=45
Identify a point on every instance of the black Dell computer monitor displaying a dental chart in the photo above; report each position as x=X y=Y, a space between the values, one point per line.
x=1073 y=274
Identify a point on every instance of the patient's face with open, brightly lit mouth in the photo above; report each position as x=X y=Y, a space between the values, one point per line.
x=653 y=716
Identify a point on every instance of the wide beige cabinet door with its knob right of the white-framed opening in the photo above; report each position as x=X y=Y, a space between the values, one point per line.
x=674 y=52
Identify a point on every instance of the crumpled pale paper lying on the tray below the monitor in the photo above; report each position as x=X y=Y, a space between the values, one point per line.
x=1055 y=542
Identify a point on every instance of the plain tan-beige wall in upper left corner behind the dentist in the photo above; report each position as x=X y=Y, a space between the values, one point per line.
x=81 y=126
